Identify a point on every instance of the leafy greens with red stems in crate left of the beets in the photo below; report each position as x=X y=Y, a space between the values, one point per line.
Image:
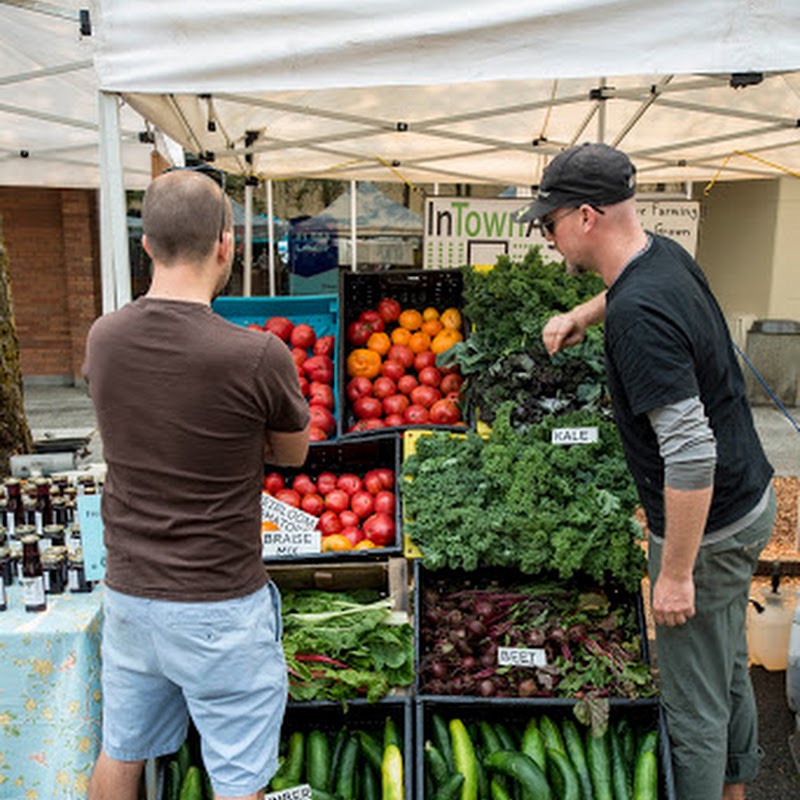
x=344 y=645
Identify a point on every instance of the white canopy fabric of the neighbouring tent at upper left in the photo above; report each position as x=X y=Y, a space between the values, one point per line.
x=49 y=104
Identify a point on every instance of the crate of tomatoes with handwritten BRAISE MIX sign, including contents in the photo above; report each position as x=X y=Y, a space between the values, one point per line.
x=341 y=502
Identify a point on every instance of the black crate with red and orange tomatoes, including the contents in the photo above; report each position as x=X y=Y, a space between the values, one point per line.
x=394 y=328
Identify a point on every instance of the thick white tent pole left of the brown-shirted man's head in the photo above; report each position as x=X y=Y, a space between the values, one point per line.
x=114 y=257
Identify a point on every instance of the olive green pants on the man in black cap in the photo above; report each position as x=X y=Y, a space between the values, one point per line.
x=705 y=680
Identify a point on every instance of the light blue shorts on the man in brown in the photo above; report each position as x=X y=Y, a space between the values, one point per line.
x=220 y=663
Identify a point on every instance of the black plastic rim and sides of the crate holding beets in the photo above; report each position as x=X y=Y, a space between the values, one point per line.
x=505 y=577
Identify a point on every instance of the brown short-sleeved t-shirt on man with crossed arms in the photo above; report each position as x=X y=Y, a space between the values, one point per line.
x=183 y=399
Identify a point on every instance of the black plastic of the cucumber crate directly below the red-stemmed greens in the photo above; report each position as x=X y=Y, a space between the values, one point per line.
x=359 y=715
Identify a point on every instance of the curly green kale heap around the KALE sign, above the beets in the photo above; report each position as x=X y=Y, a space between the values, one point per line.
x=517 y=500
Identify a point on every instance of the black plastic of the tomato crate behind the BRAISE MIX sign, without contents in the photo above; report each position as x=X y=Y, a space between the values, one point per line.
x=357 y=456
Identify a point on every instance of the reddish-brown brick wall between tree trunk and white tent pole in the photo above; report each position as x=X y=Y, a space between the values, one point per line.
x=52 y=242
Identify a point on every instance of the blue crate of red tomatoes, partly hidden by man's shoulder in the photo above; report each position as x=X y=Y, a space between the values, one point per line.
x=309 y=326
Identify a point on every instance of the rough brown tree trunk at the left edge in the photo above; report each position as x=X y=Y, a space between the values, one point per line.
x=15 y=435
